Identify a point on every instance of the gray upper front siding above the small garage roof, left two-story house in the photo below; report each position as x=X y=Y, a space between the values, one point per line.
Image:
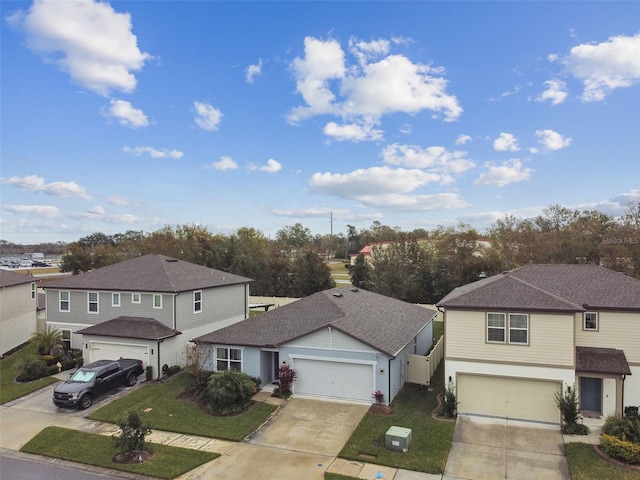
x=79 y=313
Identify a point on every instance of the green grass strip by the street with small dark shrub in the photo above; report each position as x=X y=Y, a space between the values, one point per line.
x=98 y=450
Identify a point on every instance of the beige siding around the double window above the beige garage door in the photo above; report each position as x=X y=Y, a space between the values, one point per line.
x=550 y=339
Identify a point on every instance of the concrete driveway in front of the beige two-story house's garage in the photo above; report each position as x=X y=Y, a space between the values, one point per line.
x=499 y=449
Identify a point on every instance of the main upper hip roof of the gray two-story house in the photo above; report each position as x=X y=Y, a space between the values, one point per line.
x=150 y=273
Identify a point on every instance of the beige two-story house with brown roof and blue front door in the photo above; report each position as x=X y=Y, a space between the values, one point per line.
x=514 y=340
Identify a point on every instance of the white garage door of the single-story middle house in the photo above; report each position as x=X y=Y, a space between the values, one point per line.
x=334 y=379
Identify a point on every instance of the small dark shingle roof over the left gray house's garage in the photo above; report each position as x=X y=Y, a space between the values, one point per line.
x=131 y=327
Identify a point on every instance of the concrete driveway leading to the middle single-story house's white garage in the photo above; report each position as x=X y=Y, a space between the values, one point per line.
x=301 y=440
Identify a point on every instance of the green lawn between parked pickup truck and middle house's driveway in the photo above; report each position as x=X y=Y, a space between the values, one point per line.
x=160 y=408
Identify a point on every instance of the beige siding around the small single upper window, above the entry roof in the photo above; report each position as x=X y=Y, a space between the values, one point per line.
x=619 y=330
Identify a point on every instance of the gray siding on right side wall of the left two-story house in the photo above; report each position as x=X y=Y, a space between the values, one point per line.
x=219 y=304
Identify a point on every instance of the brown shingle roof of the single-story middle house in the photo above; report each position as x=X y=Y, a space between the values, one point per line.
x=381 y=322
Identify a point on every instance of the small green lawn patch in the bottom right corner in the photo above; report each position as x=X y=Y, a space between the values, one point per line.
x=586 y=464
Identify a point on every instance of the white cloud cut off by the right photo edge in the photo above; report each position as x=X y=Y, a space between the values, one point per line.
x=603 y=67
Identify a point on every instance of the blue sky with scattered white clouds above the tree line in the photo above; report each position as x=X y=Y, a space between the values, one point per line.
x=134 y=115
